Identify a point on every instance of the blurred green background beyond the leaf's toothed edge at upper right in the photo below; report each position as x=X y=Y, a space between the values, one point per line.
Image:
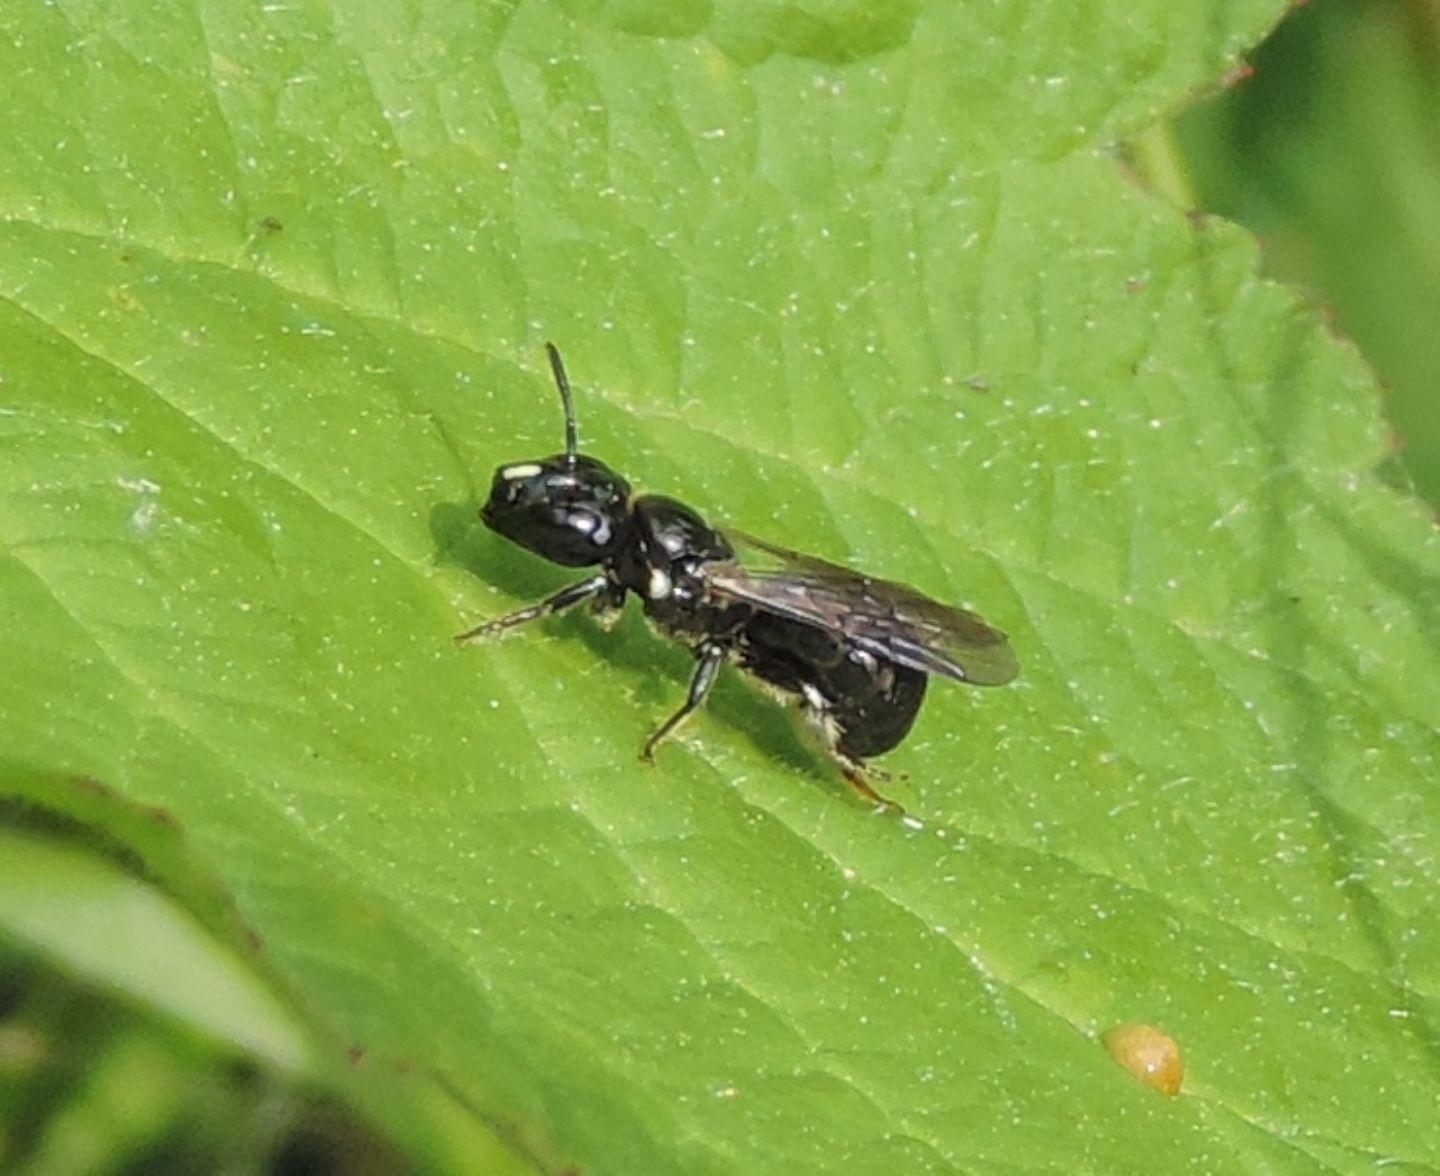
x=1331 y=153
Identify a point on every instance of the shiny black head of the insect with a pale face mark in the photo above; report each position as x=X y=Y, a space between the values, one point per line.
x=568 y=509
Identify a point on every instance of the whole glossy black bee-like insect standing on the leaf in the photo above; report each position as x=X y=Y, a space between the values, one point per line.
x=852 y=650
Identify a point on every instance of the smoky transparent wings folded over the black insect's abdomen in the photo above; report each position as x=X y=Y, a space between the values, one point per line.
x=883 y=618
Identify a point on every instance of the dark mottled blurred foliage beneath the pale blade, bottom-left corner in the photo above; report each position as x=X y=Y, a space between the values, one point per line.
x=93 y=1085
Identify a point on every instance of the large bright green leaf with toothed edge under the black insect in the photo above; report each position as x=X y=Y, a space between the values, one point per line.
x=274 y=289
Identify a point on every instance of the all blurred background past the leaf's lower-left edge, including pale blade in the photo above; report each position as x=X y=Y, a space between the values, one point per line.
x=133 y=1040
